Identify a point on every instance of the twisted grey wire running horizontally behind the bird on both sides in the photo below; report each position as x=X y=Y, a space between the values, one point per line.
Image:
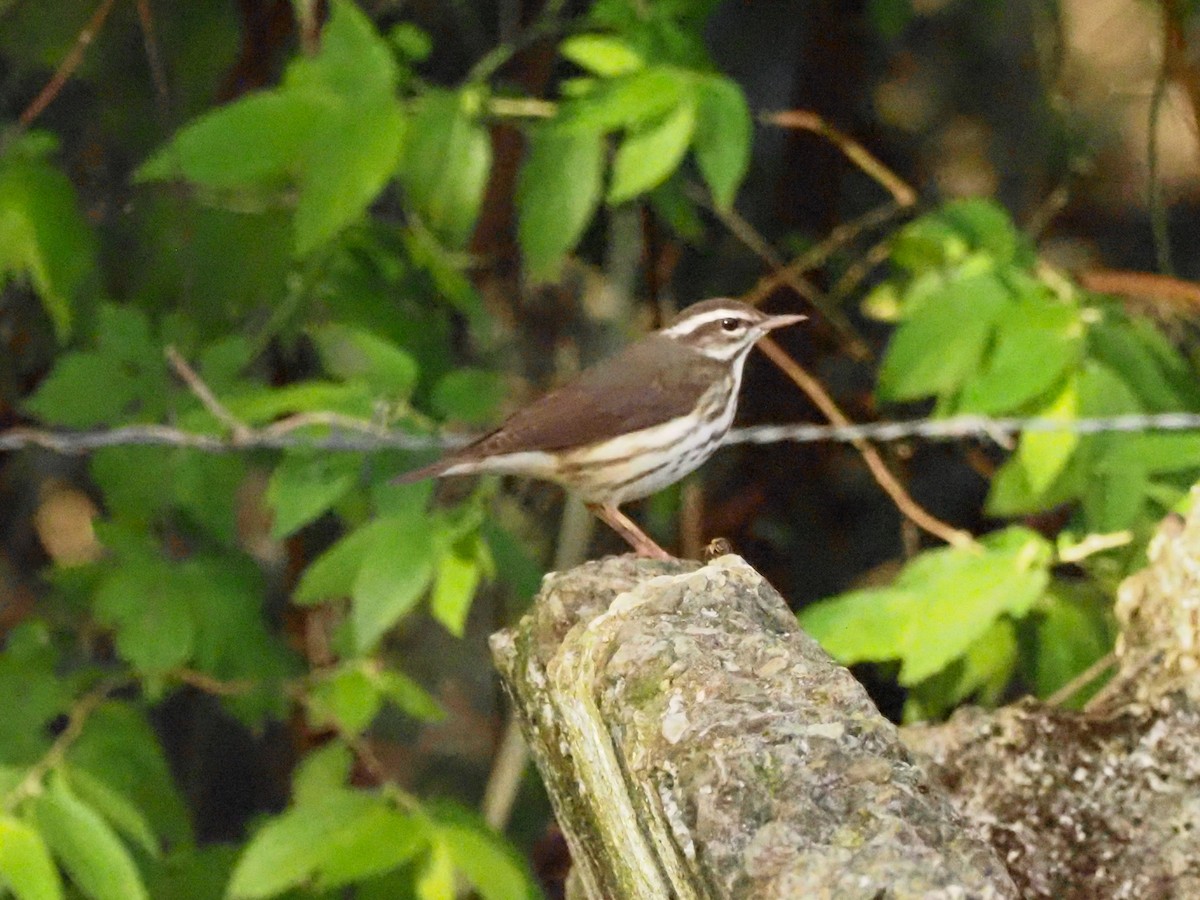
x=365 y=436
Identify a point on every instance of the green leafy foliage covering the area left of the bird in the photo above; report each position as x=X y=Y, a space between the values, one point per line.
x=326 y=220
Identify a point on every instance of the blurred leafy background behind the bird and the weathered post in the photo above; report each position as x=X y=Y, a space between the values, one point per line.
x=315 y=236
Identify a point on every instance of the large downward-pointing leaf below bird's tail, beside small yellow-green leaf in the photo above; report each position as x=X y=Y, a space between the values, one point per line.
x=397 y=571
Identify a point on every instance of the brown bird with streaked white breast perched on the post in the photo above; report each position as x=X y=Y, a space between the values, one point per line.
x=633 y=424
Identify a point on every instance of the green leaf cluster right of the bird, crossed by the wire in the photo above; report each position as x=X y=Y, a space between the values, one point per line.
x=1013 y=338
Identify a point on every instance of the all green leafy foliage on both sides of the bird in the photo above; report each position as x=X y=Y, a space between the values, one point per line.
x=309 y=248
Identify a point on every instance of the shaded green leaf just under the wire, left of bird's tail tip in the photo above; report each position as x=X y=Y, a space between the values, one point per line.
x=307 y=484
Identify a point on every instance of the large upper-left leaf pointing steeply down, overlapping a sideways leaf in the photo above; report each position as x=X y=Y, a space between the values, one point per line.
x=353 y=157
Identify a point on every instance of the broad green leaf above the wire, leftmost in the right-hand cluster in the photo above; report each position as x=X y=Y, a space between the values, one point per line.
x=941 y=344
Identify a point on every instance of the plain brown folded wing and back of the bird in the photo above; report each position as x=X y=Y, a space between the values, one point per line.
x=650 y=382
